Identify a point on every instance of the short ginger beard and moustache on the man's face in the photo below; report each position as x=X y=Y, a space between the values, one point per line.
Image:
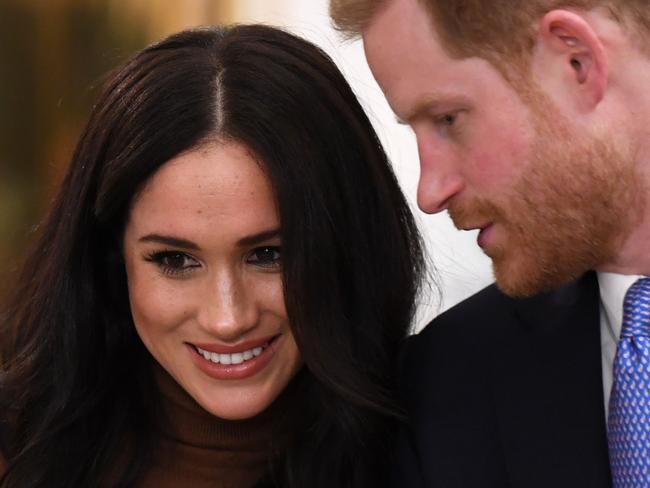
x=570 y=211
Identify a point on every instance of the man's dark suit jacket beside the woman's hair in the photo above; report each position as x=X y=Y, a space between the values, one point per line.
x=507 y=393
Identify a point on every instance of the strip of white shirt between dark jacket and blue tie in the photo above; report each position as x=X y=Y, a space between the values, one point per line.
x=613 y=288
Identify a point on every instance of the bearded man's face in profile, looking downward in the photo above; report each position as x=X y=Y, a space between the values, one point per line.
x=551 y=200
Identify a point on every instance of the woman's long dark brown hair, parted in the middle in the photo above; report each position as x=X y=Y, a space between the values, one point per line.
x=74 y=379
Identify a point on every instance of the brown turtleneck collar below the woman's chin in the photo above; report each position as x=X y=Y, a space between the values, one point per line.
x=200 y=450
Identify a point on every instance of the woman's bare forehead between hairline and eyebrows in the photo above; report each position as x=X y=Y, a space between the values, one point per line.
x=211 y=187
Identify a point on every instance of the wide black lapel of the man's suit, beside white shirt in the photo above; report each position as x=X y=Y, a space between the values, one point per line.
x=548 y=391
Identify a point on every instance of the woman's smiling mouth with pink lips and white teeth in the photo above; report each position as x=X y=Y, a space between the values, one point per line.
x=234 y=362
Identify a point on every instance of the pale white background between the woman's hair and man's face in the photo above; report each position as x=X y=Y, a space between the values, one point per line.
x=461 y=267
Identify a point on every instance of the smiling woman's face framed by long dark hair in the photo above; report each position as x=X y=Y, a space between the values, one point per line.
x=202 y=253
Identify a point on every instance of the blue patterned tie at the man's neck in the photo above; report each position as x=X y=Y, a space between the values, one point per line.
x=629 y=404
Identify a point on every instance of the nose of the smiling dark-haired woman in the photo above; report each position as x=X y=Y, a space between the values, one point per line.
x=229 y=310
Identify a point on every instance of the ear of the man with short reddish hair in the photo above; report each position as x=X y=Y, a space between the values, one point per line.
x=570 y=57
